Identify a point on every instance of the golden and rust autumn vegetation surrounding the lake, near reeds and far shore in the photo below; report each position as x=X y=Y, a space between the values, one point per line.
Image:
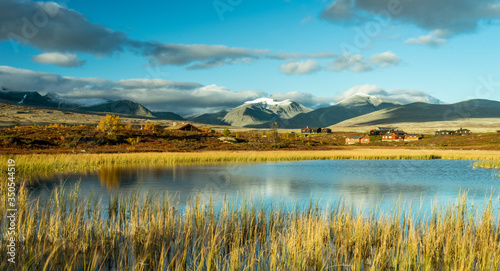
x=68 y=231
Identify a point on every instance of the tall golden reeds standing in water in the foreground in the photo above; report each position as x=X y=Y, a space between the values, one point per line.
x=68 y=232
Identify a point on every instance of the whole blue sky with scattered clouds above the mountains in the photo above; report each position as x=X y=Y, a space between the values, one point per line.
x=192 y=57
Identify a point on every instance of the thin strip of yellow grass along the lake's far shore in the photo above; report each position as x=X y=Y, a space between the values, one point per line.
x=29 y=165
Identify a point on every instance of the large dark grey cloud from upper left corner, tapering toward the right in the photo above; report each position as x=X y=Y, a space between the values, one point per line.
x=68 y=30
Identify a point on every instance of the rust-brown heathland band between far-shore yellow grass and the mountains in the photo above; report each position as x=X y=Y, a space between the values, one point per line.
x=56 y=139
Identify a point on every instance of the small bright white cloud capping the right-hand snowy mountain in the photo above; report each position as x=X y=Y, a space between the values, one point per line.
x=398 y=95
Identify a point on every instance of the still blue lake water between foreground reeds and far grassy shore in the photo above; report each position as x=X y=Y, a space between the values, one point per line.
x=361 y=182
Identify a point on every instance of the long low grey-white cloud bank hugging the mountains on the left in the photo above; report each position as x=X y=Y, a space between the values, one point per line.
x=157 y=94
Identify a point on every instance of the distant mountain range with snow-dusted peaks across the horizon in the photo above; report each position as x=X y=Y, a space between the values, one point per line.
x=356 y=110
